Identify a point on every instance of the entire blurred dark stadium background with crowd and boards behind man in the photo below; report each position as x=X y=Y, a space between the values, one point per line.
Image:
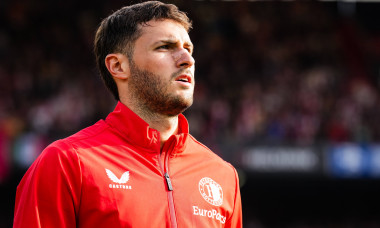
x=287 y=91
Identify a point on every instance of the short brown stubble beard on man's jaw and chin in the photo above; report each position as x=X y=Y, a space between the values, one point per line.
x=151 y=93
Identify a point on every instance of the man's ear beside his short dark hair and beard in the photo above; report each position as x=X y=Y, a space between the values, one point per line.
x=118 y=65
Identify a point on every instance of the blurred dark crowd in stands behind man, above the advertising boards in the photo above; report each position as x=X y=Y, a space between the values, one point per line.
x=302 y=73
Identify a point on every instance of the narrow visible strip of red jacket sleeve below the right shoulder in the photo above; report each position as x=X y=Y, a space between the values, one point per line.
x=236 y=220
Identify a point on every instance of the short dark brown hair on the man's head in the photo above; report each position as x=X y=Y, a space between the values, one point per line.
x=118 y=32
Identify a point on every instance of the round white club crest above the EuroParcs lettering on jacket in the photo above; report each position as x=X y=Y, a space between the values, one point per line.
x=211 y=191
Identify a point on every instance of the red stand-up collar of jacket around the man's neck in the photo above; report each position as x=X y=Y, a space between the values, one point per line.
x=137 y=131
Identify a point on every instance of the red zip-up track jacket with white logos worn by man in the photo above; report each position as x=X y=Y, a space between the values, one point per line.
x=112 y=174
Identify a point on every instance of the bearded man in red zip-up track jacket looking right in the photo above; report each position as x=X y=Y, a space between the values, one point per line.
x=139 y=167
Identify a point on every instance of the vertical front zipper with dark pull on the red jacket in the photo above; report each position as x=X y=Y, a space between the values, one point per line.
x=165 y=170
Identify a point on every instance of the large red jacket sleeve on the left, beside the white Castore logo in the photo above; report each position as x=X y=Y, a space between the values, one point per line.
x=48 y=194
